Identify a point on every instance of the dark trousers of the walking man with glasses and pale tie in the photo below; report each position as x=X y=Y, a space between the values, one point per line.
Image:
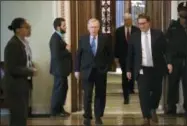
x=150 y=90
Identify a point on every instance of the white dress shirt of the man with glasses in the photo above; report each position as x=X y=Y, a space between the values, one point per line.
x=147 y=59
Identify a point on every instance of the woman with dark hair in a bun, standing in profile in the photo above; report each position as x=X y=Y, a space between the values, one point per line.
x=18 y=71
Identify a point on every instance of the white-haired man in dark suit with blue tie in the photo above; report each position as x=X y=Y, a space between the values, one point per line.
x=94 y=57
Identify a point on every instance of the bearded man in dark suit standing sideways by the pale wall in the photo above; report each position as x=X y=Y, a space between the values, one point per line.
x=60 y=67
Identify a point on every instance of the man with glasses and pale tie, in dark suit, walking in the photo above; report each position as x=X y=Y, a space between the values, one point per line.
x=148 y=49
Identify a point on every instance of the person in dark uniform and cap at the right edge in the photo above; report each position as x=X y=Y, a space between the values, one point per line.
x=177 y=46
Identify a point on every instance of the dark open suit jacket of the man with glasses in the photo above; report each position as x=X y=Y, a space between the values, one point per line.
x=158 y=44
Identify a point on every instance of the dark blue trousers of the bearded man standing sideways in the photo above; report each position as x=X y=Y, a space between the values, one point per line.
x=59 y=94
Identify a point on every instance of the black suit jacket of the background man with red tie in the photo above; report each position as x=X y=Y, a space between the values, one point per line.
x=121 y=45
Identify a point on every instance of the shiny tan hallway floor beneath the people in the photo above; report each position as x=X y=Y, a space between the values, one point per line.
x=116 y=114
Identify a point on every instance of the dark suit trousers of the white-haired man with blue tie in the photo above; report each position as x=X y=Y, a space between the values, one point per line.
x=99 y=81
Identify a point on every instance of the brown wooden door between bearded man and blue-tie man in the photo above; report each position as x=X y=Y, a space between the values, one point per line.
x=80 y=13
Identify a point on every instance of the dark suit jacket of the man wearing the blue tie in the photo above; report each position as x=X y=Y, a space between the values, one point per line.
x=85 y=60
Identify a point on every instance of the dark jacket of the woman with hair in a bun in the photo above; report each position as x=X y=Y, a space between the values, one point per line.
x=16 y=71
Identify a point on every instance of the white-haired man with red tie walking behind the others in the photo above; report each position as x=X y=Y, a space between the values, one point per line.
x=121 y=46
